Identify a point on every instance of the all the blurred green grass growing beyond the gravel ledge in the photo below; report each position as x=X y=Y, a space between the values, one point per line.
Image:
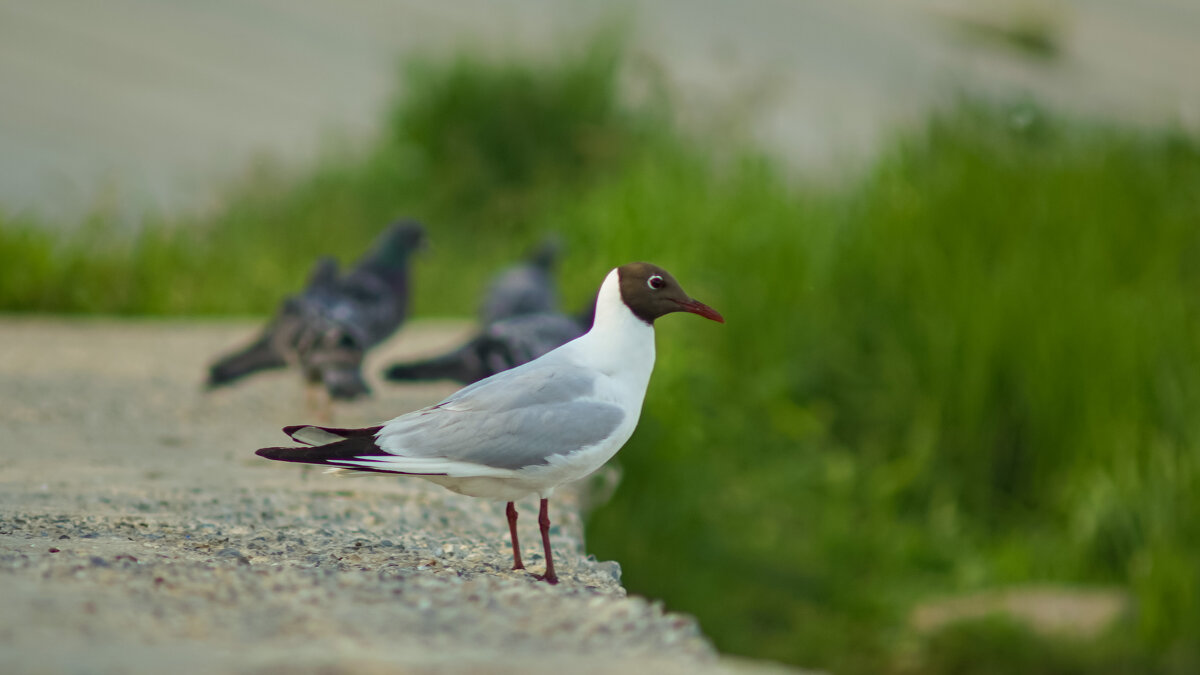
x=973 y=367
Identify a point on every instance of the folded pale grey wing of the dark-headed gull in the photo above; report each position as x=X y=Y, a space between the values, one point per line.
x=511 y=421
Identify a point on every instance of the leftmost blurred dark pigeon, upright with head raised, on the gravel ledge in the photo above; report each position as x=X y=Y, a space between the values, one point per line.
x=327 y=328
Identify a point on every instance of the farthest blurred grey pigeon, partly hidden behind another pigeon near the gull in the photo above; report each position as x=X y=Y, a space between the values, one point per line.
x=527 y=288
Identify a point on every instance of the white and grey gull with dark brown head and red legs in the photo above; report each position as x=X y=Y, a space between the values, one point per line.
x=531 y=429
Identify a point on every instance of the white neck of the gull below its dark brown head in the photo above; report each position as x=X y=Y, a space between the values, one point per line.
x=620 y=344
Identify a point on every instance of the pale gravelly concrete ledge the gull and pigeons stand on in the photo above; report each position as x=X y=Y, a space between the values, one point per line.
x=140 y=534
